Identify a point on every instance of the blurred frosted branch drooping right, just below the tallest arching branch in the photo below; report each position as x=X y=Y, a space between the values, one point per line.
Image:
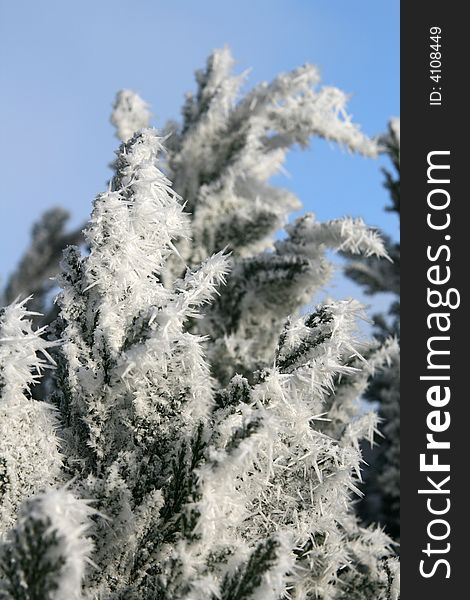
x=268 y=287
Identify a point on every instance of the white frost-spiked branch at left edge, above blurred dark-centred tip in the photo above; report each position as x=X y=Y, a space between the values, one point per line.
x=29 y=447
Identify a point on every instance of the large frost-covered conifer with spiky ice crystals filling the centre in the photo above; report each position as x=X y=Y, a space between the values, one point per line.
x=215 y=429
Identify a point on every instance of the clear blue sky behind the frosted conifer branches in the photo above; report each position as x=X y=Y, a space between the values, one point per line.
x=62 y=63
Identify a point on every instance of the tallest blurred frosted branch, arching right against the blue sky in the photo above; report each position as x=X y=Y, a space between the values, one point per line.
x=227 y=148
